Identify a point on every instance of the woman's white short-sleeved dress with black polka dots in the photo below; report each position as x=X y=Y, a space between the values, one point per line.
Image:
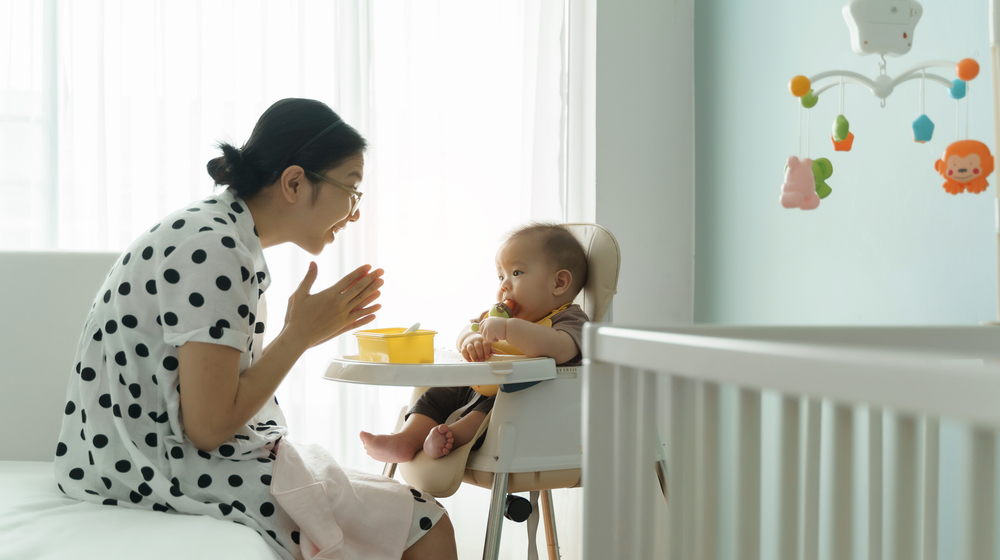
x=199 y=275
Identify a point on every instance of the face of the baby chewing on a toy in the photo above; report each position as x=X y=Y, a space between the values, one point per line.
x=527 y=280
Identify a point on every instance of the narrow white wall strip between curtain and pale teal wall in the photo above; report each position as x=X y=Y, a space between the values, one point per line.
x=645 y=154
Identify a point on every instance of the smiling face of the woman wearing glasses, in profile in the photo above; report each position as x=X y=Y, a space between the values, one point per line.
x=327 y=216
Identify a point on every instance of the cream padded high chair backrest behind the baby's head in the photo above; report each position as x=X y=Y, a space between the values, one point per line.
x=603 y=263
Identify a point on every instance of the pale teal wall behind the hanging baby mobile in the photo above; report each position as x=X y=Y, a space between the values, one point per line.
x=889 y=246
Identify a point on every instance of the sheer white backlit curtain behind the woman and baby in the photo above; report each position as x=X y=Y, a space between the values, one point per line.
x=109 y=111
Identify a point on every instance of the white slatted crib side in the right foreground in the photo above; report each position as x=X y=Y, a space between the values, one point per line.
x=825 y=385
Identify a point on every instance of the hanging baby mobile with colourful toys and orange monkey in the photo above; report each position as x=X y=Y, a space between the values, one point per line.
x=884 y=27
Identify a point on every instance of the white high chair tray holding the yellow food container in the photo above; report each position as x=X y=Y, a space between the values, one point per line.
x=448 y=370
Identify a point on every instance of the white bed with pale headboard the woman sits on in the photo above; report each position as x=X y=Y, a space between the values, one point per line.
x=45 y=297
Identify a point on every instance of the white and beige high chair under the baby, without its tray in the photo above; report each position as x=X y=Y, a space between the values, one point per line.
x=516 y=456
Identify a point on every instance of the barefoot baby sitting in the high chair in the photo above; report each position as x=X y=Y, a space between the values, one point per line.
x=542 y=268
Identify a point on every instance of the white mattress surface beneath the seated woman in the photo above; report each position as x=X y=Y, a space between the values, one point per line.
x=38 y=521
